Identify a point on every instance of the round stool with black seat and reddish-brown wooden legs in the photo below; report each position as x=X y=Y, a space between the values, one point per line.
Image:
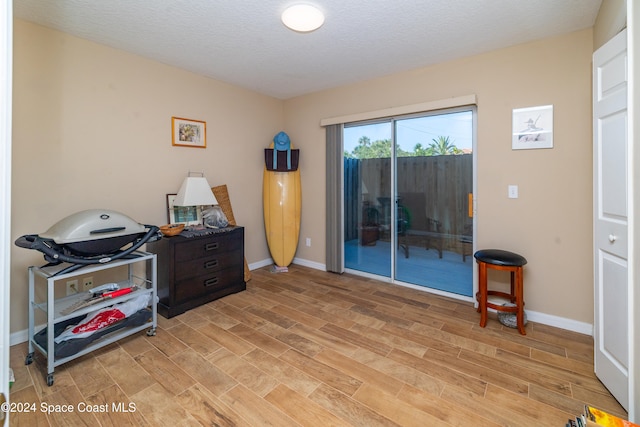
x=498 y=259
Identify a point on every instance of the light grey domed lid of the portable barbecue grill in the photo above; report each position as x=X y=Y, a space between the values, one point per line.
x=92 y=224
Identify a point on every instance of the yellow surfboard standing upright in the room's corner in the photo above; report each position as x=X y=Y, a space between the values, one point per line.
x=281 y=200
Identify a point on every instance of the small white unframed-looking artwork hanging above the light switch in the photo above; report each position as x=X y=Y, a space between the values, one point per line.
x=532 y=128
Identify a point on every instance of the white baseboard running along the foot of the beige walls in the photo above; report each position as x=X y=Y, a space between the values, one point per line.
x=534 y=316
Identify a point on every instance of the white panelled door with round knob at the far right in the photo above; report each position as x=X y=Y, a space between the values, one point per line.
x=611 y=169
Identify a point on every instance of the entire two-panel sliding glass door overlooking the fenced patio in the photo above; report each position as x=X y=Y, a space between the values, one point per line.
x=408 y=199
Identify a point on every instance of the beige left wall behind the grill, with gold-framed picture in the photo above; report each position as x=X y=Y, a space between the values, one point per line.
x=92 y=129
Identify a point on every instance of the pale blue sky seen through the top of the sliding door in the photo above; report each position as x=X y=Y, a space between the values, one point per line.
x=457 y=126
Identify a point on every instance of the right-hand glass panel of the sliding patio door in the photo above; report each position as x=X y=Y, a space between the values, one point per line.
x=434 y=190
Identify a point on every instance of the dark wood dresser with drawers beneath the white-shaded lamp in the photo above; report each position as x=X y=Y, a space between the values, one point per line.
x=195 y=270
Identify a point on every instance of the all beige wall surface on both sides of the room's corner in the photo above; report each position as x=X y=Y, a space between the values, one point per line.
x=92 y=129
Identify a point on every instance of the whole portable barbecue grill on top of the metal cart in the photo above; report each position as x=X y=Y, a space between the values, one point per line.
x=94 y=236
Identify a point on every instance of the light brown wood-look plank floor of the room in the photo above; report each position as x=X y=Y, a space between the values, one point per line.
x=318 y=349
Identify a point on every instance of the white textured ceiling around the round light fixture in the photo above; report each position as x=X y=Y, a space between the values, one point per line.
x=243 y=42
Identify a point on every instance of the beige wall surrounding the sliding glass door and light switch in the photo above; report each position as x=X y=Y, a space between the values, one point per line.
x=550 y=224
